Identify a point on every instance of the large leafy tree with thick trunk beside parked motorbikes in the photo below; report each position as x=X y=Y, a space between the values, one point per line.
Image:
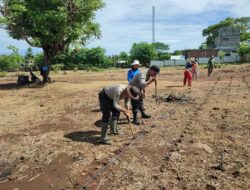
x=50 y=24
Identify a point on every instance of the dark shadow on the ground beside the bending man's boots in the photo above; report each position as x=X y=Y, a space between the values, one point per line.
x=84 y=136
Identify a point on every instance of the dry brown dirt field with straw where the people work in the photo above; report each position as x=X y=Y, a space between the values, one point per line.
x=198 y=137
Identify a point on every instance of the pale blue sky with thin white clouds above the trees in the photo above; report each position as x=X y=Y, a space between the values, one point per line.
x=178 y=23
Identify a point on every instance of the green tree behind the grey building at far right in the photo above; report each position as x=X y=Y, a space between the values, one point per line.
x=212 y=31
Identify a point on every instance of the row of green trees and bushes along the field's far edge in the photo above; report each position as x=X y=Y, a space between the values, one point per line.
x=81 y=58
